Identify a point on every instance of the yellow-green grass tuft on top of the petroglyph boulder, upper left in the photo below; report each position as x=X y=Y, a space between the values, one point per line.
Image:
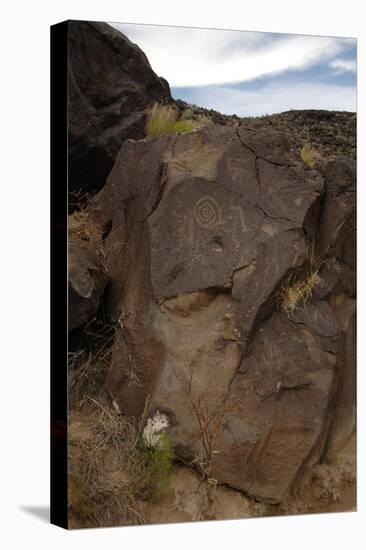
x=162 y=119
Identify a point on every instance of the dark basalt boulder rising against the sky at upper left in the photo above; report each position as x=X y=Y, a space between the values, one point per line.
x=110 y=84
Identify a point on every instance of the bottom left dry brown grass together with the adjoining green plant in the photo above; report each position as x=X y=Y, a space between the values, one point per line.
x=111 y=471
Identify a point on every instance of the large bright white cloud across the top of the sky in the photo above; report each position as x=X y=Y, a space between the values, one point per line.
x=198 y=57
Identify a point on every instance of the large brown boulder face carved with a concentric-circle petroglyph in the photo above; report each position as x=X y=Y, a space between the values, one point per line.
x=205 y=228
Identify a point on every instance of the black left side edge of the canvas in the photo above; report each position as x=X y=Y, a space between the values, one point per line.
x=59 y=296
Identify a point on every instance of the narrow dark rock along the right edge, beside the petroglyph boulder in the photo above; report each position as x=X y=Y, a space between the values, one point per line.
x=337 y=240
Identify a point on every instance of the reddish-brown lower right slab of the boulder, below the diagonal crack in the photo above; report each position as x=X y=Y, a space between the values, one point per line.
x=285 y=387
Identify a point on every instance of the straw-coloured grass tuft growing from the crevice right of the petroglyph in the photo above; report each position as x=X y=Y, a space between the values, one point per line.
x=296 y=292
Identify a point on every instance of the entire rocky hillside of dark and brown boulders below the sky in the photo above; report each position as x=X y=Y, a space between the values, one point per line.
x=223 y=262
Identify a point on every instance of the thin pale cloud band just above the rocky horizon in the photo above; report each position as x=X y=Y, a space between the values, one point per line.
x=275 y=98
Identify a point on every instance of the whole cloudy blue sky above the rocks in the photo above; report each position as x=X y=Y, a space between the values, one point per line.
x=251 y=73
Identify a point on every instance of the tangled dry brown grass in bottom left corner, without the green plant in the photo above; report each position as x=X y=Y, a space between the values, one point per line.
x=104 y=467
